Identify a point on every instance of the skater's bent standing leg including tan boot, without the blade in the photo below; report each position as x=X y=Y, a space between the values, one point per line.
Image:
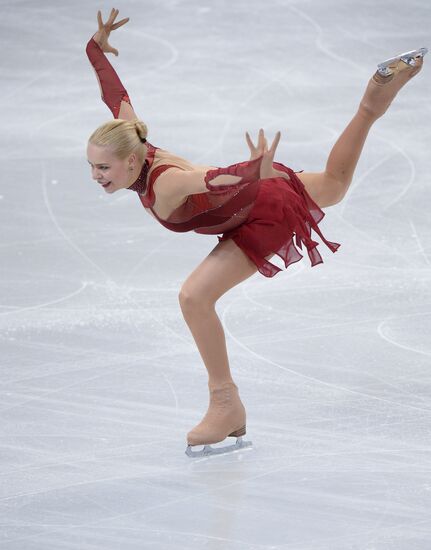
x=225 y=267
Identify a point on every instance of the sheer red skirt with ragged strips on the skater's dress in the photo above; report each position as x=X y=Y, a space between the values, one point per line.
x=282 y=216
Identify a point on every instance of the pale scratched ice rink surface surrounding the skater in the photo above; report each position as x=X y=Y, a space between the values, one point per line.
x=100 y=376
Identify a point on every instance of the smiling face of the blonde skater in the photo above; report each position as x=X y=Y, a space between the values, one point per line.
x=108 y=170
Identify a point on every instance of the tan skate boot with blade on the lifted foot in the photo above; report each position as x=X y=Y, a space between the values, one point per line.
x=390 y=77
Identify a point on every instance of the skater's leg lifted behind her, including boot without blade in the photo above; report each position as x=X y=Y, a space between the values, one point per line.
x=329 y=187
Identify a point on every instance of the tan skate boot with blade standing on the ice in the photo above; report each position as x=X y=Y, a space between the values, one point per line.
x=225 y=417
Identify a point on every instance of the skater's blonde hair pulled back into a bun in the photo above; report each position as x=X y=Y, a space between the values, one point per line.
x=124 y=137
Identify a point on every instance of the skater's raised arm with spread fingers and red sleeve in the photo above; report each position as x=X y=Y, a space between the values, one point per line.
x=112 y=90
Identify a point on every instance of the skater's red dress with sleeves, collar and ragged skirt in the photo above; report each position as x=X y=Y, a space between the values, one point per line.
x=262 y=216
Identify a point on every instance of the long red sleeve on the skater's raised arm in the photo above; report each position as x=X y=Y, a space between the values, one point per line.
x=113 y=91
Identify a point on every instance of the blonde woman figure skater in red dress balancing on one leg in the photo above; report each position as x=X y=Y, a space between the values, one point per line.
x=257 y=206
